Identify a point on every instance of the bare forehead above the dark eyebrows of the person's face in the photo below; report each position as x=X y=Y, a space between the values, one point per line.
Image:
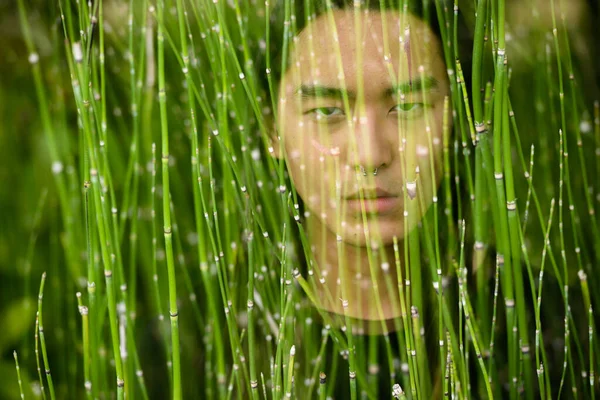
x=369 y=41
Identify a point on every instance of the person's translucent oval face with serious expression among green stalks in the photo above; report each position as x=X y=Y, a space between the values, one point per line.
x=393 y=72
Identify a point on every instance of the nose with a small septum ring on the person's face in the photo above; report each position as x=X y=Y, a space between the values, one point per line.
x=374 y=143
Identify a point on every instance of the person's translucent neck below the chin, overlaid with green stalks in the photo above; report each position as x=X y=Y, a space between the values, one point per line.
x=355 y=281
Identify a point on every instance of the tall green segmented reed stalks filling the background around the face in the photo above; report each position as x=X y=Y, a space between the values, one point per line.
x=497 y=285
